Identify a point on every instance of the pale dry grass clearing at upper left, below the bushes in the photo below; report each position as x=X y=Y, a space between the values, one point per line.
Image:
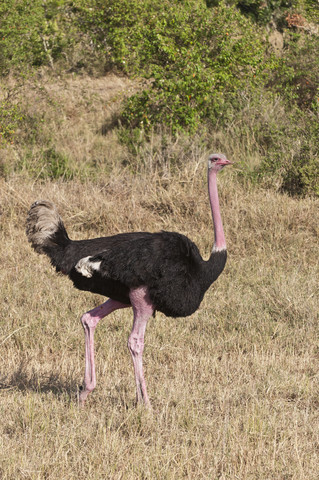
x=70 y=114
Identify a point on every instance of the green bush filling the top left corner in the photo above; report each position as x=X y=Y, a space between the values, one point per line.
x=34 y=33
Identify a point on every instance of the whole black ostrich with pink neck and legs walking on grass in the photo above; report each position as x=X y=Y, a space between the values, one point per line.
x=161 y=271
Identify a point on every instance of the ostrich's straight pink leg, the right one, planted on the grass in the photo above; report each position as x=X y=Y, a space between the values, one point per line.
x=142 y=309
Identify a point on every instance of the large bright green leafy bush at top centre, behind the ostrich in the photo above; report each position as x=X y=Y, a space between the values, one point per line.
x=196 y=59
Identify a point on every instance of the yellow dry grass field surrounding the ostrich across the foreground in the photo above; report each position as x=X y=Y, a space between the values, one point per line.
x=234 y=387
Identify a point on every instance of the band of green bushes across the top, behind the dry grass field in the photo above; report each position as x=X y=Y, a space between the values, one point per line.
x=200 y=66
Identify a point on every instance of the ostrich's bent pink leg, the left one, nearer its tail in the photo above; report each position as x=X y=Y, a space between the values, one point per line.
x=89 y=321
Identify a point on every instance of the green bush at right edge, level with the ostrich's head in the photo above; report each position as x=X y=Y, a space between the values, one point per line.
x=289 y=149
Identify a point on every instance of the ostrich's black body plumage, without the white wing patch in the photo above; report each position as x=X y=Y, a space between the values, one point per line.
x=168 y=263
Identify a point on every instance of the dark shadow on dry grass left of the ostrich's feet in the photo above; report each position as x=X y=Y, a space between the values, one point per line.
x=24 y=380
